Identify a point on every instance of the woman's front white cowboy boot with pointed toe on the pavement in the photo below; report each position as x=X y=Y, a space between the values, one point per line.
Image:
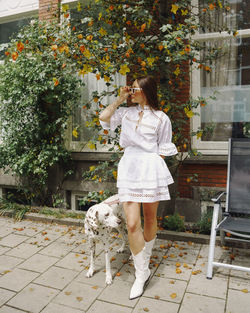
x=142 y=274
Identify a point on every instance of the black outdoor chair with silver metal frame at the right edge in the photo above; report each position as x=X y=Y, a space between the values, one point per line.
x=236 y=218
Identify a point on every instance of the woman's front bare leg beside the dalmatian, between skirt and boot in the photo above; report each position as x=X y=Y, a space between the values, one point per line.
x=135 y=235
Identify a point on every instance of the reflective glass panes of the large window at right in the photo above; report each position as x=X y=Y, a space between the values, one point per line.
x=227 y=114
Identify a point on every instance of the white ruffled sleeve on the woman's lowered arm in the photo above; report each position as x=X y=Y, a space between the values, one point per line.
x=166 y=147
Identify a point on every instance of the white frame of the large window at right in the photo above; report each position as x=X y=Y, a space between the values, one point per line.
x=207 y=147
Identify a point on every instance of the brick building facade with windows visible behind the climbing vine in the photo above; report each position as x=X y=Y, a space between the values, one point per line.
x=226 y=116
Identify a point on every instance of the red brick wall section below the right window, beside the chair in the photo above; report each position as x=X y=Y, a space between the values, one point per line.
x=209 y=175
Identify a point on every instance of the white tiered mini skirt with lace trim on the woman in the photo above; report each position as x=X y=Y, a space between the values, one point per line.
x=143 y=177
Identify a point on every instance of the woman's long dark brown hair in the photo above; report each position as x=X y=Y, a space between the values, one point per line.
x=149 y=88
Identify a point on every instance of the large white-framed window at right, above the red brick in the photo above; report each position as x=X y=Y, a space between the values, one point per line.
x=227 y=113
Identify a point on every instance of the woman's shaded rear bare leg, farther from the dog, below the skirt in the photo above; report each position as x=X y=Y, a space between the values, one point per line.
x=150 y=220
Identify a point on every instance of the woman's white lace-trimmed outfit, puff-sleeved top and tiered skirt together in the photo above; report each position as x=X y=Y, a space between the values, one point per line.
x=143 y=175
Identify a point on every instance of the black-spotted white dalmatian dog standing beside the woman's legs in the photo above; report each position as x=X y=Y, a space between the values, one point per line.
x=99 y=222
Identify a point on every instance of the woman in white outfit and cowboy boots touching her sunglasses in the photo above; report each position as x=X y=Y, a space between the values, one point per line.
x=143 y=176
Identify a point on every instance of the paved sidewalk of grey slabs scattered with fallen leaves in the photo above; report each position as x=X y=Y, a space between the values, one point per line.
x=43 y=269
